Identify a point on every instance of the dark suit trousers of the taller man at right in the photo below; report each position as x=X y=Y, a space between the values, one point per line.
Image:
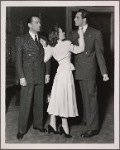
x=90 y=103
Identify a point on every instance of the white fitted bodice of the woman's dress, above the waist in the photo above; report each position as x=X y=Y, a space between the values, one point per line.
x=62 y=53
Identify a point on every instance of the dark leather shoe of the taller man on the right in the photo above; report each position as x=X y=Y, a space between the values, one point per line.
x=89 y=133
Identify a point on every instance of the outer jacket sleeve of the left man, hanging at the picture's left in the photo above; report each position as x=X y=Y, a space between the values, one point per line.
x=19 y=67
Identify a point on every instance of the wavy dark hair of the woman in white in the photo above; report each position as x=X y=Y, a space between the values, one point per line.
x=53 y=36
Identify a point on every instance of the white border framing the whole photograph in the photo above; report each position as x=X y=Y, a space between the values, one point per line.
x=5 y=4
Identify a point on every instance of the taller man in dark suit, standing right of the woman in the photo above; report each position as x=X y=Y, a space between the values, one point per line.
x=86 y=68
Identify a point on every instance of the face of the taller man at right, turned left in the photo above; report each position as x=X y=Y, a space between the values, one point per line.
x=78 y=19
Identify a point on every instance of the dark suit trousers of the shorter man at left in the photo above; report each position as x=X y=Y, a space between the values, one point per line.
x=27 y=93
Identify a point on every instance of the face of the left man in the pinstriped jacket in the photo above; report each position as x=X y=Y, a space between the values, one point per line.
x=35 y=24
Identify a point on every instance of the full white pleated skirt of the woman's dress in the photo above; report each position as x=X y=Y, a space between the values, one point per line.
x=63 y=99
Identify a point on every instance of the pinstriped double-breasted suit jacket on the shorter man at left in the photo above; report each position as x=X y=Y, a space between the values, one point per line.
x=30 y=60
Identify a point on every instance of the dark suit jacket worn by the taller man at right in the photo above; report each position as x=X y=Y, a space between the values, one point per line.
x=86 y=62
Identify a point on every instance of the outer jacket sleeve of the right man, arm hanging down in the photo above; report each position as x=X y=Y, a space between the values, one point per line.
x=100 y=53
